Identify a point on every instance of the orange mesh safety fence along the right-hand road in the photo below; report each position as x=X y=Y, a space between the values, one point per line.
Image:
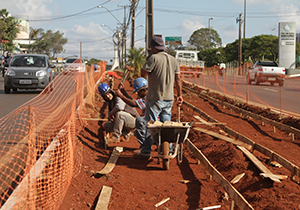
x=233 y=81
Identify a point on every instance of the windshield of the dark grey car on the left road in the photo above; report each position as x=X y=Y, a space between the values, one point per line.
x=28 y=60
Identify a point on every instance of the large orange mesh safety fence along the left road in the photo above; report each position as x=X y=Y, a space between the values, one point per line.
x=39 y=151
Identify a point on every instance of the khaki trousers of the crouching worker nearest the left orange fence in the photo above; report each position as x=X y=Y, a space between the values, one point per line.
x=122 y=124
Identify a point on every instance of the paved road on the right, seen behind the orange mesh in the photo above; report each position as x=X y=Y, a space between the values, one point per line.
x=285 y=98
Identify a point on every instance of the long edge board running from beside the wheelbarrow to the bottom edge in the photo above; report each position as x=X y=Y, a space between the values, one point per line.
x=239 y=200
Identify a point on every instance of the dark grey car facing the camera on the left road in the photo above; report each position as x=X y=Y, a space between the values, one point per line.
x=28 y=71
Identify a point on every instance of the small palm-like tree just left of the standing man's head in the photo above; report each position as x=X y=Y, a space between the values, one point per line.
x=136 y=59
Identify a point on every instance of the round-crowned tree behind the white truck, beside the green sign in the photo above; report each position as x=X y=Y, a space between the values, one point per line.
x=200 y=39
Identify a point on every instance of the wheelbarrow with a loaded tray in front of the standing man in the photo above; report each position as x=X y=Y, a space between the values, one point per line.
x=169 y=132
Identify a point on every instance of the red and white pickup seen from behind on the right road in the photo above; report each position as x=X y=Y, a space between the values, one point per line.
x=266 y=71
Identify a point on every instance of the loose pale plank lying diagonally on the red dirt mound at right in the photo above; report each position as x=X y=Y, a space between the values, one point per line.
x=265 y=171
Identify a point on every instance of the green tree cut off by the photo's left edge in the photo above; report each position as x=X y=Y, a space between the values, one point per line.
x=8 y=30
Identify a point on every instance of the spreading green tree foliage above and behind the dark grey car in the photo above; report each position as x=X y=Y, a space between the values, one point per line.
x=46 y=42
